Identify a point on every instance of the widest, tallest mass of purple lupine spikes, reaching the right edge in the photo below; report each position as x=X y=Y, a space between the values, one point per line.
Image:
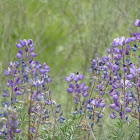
x=114 y=75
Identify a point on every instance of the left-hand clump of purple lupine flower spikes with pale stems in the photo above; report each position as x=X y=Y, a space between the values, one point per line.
x=28 y=84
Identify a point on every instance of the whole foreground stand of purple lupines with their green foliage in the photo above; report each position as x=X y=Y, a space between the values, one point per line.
x=29 y=112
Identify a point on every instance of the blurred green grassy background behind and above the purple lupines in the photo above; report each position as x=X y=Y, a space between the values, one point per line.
x=66 y=34
